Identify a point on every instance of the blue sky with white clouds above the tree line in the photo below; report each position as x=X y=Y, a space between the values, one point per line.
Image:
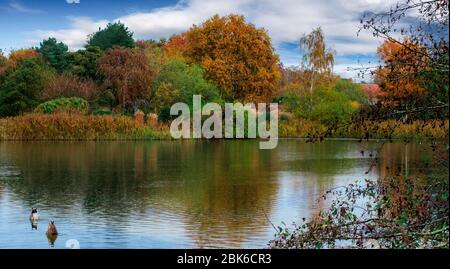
x=25 y=23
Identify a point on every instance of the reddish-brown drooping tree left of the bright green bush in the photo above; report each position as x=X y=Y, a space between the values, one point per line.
x=128 y=73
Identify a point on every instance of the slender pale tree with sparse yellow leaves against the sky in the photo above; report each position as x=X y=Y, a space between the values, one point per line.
x=318 y=60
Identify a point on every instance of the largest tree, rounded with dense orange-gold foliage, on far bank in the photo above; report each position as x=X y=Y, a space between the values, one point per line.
x=236 y=55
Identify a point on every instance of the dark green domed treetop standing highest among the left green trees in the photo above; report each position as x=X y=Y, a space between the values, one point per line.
x=115 y=34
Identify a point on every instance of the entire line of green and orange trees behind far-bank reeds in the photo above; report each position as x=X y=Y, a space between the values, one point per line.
x=226 y=59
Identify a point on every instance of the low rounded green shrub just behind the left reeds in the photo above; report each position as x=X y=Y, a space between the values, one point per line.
x=68 y=105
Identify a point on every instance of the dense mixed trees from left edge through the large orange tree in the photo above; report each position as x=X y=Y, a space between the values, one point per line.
x=118 y=74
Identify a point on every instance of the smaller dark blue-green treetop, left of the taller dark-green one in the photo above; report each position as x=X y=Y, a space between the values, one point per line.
x=55 y=53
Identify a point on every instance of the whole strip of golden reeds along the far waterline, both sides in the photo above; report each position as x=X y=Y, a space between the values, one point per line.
x=63 y=127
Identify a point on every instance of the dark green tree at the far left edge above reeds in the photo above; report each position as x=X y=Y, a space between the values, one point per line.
x=21 y=88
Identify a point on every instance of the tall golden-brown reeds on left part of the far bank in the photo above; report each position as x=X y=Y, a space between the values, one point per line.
x=75 y=127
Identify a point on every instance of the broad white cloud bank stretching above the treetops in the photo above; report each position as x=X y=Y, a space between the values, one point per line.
x=285 y=21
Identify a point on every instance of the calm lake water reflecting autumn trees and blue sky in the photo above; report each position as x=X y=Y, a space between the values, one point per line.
x=177 y=194
